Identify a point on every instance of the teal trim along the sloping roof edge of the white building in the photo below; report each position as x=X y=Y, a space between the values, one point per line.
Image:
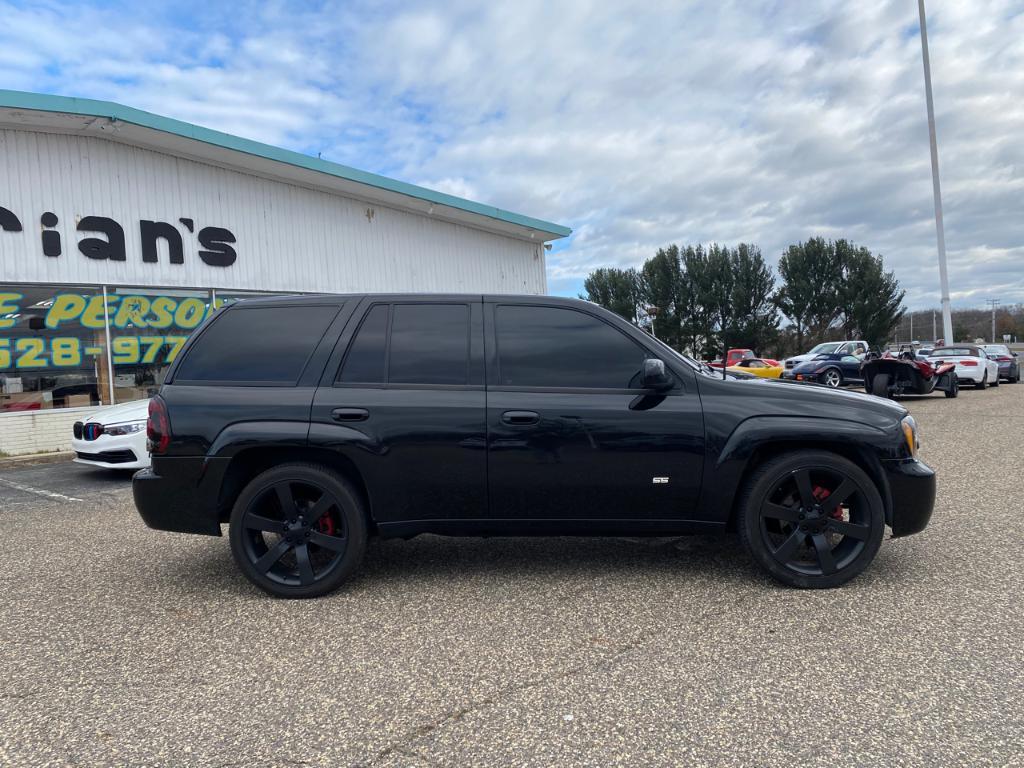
x=97 y=109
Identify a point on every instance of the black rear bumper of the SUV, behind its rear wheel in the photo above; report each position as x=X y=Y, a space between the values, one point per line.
x=183 y=498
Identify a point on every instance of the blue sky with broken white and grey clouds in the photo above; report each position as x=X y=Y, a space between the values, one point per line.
x=636 y=124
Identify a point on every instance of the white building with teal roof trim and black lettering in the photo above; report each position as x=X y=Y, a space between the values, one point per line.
x=120 y=231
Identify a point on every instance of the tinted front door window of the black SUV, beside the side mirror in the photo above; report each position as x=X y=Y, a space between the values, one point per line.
x=556 y=348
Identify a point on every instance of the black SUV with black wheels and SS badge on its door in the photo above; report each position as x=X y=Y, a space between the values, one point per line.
x=309 y=424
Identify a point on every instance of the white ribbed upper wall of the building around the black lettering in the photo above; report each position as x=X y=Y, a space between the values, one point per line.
x=289 y=238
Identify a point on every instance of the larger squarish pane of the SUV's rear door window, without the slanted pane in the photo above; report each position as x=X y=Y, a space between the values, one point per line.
x=430 y=345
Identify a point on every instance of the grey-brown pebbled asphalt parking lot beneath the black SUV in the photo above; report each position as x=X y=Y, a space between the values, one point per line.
x=120 y=646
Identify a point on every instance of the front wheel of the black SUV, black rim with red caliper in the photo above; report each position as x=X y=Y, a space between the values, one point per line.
x=833 y=542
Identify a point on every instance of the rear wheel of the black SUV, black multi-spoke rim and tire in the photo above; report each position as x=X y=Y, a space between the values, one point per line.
x=298 y=531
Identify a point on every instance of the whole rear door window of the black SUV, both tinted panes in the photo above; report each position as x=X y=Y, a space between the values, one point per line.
x=430 y=345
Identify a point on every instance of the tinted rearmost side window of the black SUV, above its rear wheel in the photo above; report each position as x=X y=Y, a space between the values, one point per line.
x=258 y=345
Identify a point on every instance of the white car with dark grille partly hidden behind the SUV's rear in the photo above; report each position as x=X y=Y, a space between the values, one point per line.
x=114 y=438
